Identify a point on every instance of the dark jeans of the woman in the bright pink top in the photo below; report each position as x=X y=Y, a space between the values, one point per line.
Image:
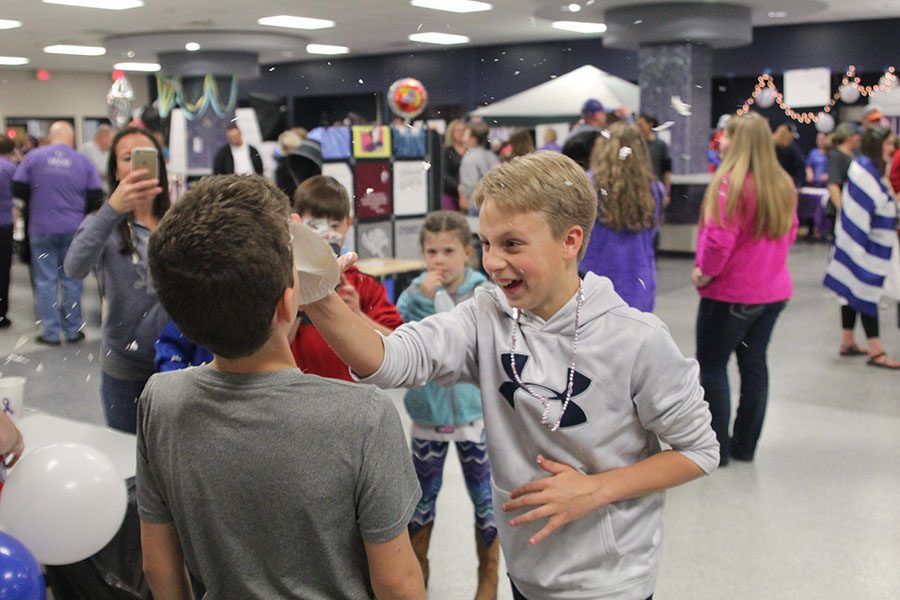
x=745 y=329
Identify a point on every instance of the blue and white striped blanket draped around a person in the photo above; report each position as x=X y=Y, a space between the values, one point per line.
x=863 y=239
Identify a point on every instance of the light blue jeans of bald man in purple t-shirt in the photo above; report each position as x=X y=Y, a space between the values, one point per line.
x=48 y=251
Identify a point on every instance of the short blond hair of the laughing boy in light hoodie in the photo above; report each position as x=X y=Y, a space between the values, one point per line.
x=545 y=182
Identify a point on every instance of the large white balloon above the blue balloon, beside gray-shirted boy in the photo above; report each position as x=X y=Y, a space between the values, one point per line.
x=64 y=502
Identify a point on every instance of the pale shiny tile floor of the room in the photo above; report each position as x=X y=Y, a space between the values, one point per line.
x=814 y=517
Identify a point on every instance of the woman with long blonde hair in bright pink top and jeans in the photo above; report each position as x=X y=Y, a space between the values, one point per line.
x=748 y=222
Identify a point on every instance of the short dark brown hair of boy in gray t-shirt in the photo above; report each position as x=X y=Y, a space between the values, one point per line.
x=221 y=259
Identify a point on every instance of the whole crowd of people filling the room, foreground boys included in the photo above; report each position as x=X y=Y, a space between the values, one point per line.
x=498 y=352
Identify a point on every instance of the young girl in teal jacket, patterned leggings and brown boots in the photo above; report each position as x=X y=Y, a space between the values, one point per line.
x=444 y=414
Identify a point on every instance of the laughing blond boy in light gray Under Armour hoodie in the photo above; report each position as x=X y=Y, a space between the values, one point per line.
x=578 y=390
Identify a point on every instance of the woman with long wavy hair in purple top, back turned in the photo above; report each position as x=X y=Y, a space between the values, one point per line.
x=629 y=202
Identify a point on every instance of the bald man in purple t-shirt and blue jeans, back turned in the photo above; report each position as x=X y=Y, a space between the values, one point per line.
x=59 y=186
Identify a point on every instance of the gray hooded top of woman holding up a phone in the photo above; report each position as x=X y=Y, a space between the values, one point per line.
x=133 y=316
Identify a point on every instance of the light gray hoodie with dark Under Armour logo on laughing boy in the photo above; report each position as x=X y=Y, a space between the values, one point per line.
x=632 y=389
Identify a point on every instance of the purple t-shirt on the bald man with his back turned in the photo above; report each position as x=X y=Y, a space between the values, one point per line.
x=58 y=177
